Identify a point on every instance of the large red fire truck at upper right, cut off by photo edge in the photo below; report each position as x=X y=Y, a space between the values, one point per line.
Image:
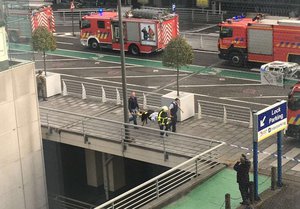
x=259 y=39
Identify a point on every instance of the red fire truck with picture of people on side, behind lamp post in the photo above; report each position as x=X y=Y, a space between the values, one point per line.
x=142 y=33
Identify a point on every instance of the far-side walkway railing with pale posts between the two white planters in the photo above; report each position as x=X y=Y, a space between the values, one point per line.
x=108 y=93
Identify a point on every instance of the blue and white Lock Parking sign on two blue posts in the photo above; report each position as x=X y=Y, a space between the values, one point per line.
x=267 y=122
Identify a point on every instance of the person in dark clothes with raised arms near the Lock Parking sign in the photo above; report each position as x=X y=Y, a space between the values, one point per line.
x=242 y=168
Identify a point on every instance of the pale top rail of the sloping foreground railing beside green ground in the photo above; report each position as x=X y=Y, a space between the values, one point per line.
x=157 y=178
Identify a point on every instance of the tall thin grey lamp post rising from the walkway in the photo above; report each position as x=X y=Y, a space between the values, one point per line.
x=124 y=85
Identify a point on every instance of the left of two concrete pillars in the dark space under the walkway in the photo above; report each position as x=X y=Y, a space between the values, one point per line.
x=94 y=171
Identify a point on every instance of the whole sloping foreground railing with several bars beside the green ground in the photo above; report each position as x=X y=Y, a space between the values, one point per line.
x=160 y=185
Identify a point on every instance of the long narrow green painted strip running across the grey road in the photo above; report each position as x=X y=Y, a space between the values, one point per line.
x=146 y=63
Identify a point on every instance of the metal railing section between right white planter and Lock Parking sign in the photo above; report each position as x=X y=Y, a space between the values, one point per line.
x=225 y=111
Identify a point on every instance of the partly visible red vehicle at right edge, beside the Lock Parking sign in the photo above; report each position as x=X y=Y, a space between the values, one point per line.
x=293 y=119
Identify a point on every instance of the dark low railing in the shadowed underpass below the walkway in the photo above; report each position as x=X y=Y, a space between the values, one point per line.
x=62 y=202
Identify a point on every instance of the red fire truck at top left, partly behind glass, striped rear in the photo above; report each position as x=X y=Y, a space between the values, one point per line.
x=38 y=15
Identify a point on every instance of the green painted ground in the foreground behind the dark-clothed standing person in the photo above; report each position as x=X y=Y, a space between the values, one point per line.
x=211 y=194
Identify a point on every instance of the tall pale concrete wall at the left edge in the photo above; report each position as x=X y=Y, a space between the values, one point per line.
x=22 y=173
